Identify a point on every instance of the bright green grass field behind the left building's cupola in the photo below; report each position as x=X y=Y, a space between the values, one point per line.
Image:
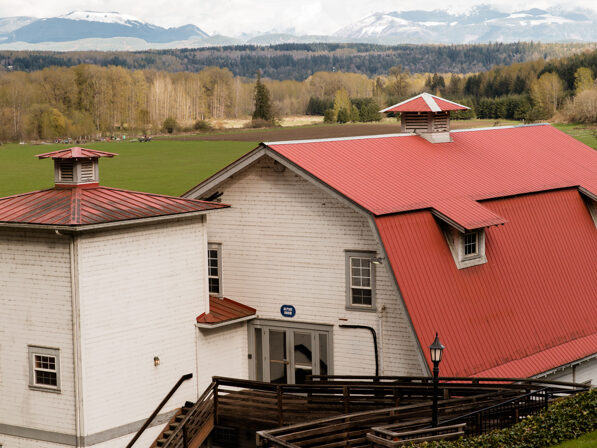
x=166 y=167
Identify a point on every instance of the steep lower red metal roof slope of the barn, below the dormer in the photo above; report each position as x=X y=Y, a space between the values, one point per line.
x=530 y=308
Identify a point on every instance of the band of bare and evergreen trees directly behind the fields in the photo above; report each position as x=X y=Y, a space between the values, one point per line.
x=89 y=101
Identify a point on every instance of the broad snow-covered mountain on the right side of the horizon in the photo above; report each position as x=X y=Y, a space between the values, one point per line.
x=481 y=24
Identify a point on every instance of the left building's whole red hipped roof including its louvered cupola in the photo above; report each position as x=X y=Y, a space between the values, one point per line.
x=78 y=200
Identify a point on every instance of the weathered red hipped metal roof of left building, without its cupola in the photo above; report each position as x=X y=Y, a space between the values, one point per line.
x=93 y=205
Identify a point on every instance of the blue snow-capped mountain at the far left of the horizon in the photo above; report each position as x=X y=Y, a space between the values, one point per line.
x=78 y=25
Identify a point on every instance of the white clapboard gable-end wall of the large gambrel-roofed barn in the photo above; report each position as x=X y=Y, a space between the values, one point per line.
x=284 y=242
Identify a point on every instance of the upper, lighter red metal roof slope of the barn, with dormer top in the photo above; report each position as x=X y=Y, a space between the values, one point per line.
x=389 y=174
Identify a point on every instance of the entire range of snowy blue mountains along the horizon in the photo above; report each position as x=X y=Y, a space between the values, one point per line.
x=91 y=30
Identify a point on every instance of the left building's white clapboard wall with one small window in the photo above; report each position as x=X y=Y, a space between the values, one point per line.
x=35 y=304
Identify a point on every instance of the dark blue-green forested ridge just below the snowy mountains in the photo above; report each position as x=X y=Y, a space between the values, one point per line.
x=299 y=61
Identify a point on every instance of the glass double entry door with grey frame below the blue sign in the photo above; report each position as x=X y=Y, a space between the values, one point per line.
x=284 y=353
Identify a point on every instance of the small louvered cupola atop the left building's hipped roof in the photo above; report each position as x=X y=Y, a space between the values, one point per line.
x=76 y=166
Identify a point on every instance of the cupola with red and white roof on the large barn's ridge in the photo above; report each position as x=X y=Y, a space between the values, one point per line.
x=426 y=115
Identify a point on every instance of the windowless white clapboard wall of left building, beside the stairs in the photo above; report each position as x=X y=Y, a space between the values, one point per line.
x=141 y=291
